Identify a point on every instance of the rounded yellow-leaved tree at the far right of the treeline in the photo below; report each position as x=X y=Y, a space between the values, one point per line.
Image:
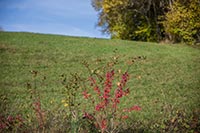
x=182 y=22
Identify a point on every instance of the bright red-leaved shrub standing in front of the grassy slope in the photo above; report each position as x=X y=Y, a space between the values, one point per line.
x=103 y=94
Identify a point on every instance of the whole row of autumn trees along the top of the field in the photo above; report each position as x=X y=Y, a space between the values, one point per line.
x=150 y=20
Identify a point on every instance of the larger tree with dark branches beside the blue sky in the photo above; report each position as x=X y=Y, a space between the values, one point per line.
x=131 y=19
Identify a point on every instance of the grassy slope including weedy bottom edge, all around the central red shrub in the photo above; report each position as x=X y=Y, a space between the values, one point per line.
x=40 y=72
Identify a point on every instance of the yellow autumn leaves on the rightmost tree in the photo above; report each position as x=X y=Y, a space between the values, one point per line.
x=181 y=21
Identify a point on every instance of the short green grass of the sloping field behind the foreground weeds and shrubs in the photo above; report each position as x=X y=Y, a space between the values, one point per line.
x=166 y=81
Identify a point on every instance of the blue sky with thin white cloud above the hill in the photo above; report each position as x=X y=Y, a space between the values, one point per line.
x=65 y=17
